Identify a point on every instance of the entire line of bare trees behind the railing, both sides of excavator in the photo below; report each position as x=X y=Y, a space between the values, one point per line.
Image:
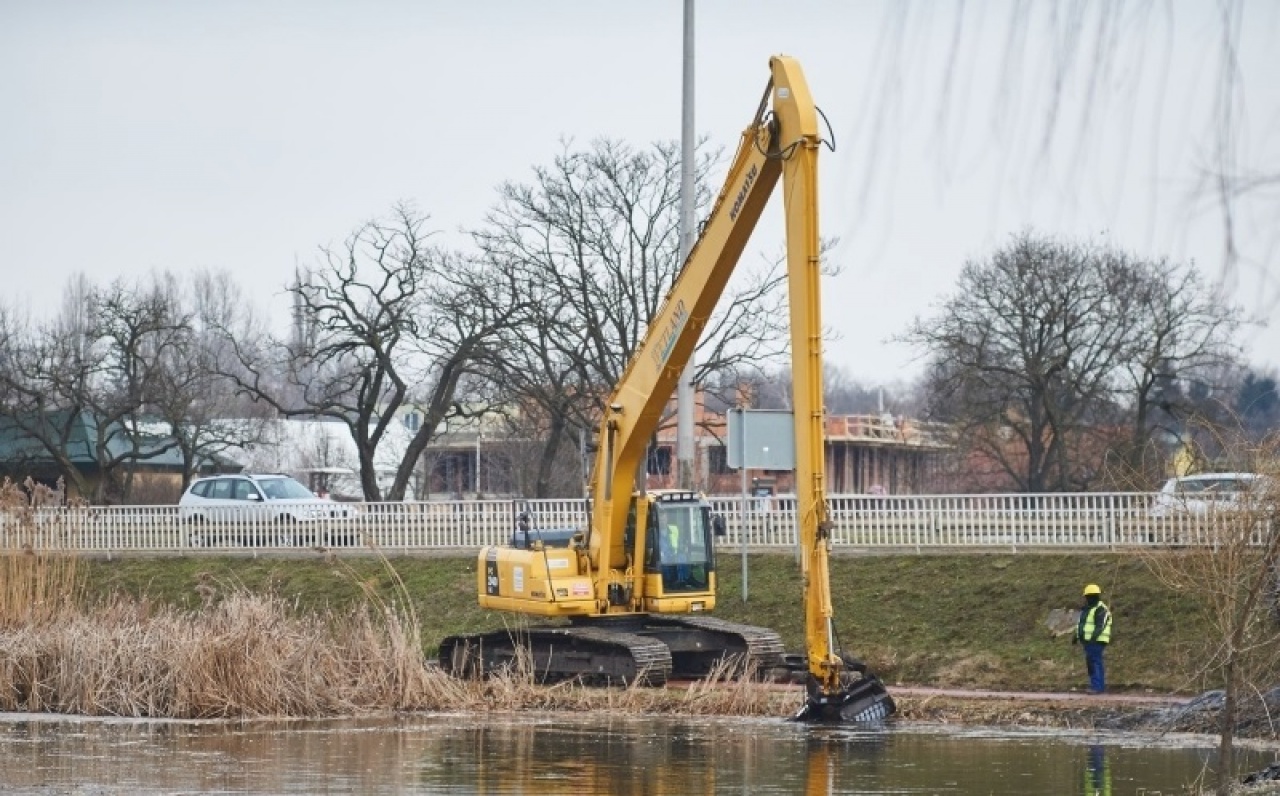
x=1050 y=362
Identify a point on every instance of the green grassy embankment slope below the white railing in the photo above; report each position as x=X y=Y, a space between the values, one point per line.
x=958 y=621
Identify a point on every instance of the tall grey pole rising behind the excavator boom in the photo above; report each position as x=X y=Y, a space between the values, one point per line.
x=685 y=390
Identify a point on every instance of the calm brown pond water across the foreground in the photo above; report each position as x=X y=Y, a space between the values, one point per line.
x=566 y=754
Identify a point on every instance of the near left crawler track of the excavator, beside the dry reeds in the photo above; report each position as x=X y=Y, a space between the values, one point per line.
x=550 y=655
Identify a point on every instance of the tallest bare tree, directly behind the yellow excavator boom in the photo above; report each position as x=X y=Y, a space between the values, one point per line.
x=595 y=240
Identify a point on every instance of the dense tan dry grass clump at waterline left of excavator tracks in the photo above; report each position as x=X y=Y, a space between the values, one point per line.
x=243 y=656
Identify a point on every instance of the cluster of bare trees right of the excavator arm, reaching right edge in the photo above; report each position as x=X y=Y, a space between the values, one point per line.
x=1072 y=367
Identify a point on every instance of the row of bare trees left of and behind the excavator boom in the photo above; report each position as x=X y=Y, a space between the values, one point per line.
x=537 y=321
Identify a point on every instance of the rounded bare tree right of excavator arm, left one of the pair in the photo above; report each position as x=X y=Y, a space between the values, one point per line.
x=1023 y=350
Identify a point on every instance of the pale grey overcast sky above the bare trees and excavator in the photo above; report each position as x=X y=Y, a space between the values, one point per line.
x=243 y=136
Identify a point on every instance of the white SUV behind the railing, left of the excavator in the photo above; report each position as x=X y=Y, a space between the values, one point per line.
x=255 y=510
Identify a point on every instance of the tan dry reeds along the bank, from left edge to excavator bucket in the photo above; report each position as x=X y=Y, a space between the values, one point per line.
x=246 y=655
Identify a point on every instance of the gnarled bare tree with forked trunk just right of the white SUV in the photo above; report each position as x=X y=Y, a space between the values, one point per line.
x=392 y=323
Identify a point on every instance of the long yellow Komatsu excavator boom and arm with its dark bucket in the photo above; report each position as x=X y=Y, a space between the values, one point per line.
x=784 y=141
